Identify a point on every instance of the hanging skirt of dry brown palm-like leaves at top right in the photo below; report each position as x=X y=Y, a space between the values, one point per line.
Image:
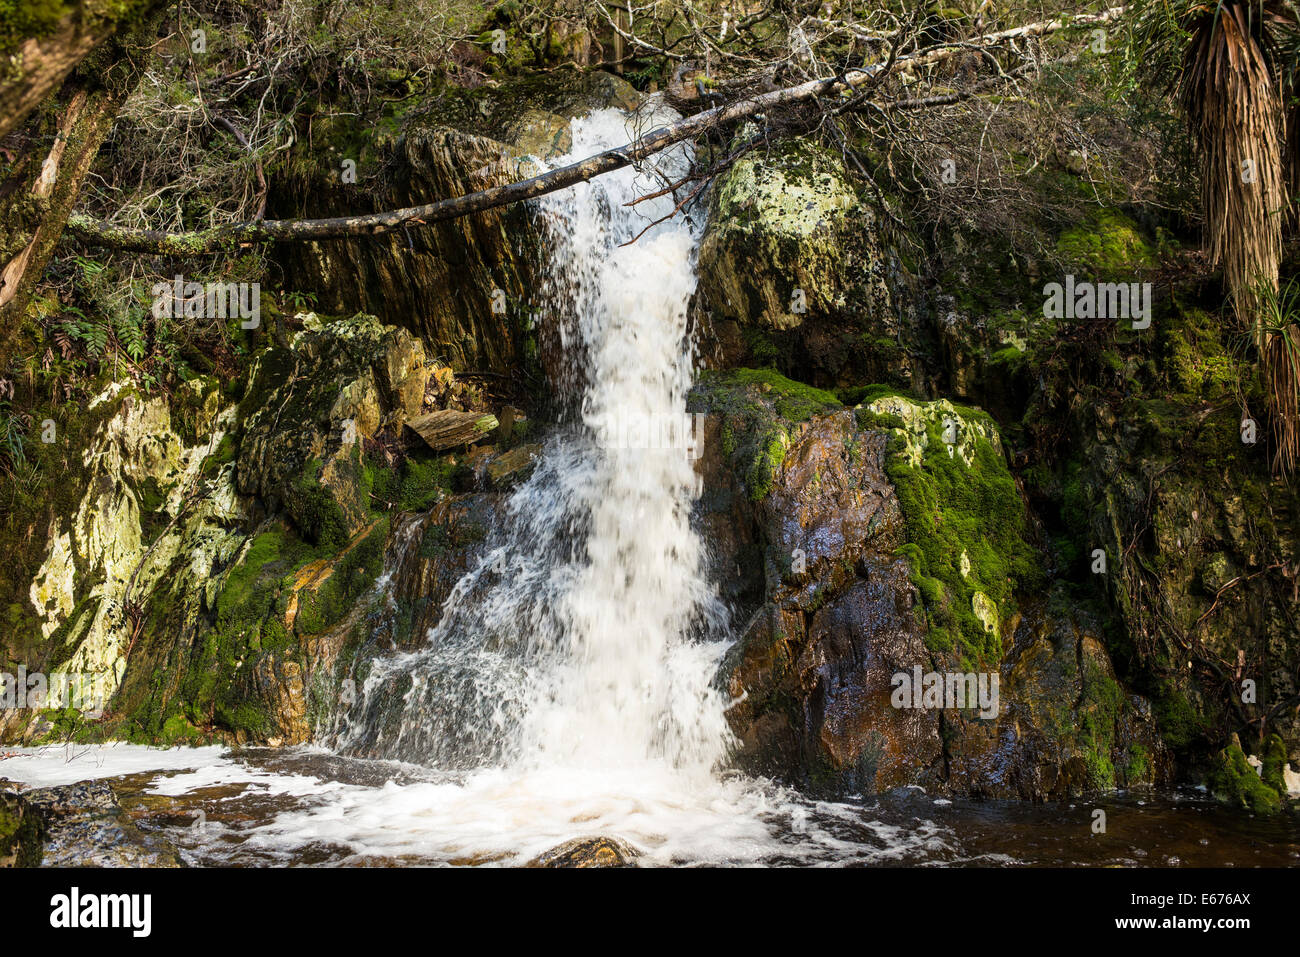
x=1238 y=63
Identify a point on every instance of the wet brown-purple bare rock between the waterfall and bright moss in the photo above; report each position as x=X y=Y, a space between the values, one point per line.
x=814 y=673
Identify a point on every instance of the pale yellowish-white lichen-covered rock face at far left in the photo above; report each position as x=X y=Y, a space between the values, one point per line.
x=146 y=503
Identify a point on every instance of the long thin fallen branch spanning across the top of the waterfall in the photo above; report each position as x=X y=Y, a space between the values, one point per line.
x=98 y=233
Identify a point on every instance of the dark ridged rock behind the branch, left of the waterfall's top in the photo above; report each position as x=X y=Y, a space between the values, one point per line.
x=463 y=284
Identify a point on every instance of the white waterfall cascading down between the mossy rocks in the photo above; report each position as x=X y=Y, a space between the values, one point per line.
x=590 y=636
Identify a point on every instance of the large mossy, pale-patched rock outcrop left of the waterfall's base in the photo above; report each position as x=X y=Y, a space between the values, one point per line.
x=216 y=569
